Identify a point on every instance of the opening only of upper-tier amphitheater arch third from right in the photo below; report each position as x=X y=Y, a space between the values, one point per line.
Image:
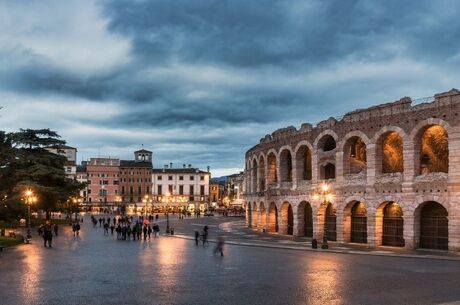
x=354 y=159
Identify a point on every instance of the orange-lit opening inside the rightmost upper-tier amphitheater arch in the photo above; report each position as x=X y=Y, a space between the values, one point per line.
x=432 y=148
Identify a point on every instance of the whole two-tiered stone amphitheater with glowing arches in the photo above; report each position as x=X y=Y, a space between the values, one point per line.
x=388 y=175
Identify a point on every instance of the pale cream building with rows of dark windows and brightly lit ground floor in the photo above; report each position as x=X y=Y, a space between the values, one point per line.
x=180 y=188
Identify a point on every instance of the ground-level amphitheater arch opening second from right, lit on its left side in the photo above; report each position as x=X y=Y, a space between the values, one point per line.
x=389 y=225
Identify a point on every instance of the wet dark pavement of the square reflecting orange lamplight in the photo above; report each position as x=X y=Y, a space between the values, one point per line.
x=98 y=269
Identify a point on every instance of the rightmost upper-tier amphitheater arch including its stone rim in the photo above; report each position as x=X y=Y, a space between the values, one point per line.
x=431 y=146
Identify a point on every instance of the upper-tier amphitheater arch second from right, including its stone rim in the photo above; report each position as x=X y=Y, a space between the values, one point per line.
x=389 y=150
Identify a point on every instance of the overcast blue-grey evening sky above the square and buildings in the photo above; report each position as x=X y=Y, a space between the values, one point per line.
x=201 y=82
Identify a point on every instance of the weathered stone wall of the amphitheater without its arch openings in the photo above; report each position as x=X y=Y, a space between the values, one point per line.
x=410 y=189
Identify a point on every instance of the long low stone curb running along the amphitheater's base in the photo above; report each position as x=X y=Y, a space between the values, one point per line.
x=431 y=257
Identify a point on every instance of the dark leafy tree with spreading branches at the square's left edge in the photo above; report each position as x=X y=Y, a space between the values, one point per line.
x=31 y=166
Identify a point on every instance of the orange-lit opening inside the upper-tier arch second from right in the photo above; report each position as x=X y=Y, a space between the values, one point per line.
x=389 y=152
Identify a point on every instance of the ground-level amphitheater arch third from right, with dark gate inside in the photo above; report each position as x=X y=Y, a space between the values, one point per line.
x=355 y=222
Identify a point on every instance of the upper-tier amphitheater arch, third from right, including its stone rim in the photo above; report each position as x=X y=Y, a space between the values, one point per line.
x=354 y=148
